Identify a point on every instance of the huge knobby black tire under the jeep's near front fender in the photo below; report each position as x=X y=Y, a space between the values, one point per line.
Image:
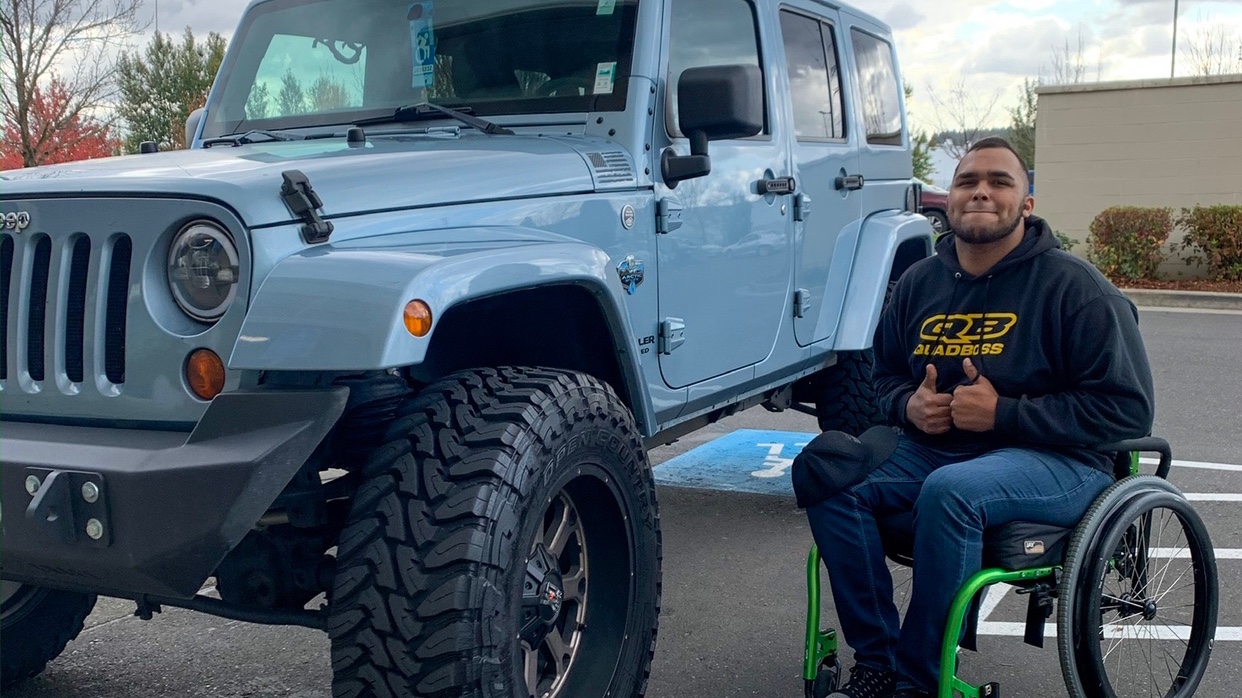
x=433 y=564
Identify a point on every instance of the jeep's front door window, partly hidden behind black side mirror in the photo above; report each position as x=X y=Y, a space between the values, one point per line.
x=710 y=33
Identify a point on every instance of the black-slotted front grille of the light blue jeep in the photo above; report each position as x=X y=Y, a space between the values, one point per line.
x=50 y=294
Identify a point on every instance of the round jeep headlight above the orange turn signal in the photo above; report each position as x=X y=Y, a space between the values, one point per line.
x=203 y=270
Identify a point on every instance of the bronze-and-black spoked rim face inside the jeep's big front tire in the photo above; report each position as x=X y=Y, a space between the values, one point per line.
x=555 y=599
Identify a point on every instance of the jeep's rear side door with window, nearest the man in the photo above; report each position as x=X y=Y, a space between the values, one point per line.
x=825 y=151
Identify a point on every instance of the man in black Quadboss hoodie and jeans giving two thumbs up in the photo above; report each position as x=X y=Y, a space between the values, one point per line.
x=1005 y=361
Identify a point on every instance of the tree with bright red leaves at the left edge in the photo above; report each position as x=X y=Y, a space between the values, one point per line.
x=58 y=134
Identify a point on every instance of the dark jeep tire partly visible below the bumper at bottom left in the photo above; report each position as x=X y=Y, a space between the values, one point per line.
x=35 y=627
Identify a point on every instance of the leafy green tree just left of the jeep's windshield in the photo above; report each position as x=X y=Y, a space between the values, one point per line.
x=162 y=86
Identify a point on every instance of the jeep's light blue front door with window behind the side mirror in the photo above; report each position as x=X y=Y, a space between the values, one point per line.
x=725 y=275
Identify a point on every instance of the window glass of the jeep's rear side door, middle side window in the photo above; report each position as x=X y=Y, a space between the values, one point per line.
x=814 y=81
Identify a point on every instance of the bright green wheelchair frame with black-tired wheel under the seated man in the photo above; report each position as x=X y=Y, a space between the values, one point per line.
x=822 y=669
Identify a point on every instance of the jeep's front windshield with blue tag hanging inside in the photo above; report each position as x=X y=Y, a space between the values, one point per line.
x=301 y=64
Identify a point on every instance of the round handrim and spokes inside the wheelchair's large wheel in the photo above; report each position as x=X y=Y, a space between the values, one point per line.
x=1151 y=612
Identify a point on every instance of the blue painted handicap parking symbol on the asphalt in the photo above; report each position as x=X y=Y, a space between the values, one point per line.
x=747 y=460
